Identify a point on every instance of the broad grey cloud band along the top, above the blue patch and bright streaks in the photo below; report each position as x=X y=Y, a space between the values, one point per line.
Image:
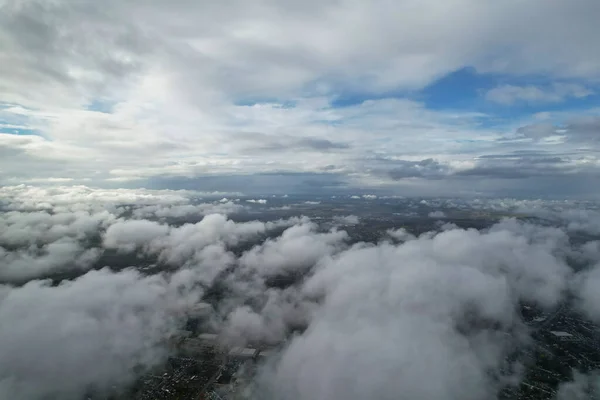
x=289 y=58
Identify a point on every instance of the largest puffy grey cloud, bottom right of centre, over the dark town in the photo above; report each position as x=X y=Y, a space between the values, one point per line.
x=429 y=304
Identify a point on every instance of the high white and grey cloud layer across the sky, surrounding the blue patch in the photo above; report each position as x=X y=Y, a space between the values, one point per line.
x=151 y=101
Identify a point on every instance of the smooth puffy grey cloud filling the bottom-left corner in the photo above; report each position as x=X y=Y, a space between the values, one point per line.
x=88 y=333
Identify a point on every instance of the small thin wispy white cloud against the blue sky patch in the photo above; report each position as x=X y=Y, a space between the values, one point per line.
x=511 y=94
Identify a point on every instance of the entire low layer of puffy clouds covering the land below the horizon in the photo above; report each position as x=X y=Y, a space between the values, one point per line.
x=406 y=305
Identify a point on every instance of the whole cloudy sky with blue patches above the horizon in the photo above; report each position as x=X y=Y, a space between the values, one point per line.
x=433 y=98
